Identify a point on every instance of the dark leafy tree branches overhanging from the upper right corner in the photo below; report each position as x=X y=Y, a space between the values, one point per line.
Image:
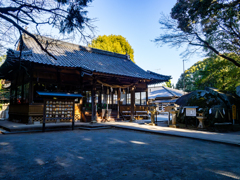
x=210 y=25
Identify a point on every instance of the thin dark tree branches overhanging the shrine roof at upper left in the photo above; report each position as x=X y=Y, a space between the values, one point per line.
x=68 y=16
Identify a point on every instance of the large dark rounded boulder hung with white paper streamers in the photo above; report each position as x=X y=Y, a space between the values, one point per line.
x=214 y=107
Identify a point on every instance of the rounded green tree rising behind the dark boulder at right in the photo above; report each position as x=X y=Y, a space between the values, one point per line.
x=211 y=72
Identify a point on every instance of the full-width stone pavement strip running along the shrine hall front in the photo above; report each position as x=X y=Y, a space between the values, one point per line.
x=232 y=138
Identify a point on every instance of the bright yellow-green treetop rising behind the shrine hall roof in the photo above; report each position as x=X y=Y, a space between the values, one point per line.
x=113 y=43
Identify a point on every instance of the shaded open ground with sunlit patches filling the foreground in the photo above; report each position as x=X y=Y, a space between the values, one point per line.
x=114 y=154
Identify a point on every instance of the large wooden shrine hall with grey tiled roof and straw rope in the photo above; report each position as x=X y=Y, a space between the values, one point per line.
x=104 y=81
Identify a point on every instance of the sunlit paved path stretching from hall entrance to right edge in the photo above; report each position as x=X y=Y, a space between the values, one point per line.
x=229 y=138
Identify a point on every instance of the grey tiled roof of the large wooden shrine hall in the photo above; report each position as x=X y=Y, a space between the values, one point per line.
x=72 y=55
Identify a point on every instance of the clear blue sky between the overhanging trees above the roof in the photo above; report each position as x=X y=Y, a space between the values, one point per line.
x=137 y=21
